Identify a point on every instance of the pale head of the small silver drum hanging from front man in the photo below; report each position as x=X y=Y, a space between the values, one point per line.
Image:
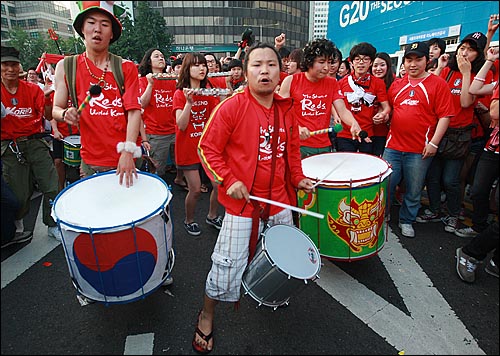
x=292 y=251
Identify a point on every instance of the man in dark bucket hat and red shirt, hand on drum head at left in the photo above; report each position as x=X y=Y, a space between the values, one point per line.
x=109 y=123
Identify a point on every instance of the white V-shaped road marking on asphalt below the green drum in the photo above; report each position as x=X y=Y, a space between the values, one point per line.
x=432 y=328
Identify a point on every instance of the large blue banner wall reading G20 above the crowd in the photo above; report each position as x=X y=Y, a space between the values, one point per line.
x=390 y=25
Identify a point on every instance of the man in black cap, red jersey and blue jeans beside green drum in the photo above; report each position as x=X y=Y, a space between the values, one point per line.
x=422 y=107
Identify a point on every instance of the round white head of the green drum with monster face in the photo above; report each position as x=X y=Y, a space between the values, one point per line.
x=361 y=168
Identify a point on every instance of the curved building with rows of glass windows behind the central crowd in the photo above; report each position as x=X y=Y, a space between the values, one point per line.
x=217 y=26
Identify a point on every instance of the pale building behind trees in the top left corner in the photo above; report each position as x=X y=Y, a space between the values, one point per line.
x=36 y=17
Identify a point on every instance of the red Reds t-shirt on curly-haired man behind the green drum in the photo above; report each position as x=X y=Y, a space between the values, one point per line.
x=313 y=105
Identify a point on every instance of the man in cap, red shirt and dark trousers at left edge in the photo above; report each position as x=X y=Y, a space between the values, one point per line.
x=25 y=154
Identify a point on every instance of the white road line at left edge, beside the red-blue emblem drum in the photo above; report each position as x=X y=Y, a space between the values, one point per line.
x=40 y=246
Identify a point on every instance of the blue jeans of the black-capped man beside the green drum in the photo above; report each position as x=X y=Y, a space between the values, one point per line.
x=414 y=169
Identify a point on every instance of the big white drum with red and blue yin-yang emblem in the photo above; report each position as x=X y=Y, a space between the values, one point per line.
x=117 y=240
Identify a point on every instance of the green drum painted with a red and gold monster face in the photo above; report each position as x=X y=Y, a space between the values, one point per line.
x=352 y=198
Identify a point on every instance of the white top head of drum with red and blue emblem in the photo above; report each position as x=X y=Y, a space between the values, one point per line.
x=99 y=201
